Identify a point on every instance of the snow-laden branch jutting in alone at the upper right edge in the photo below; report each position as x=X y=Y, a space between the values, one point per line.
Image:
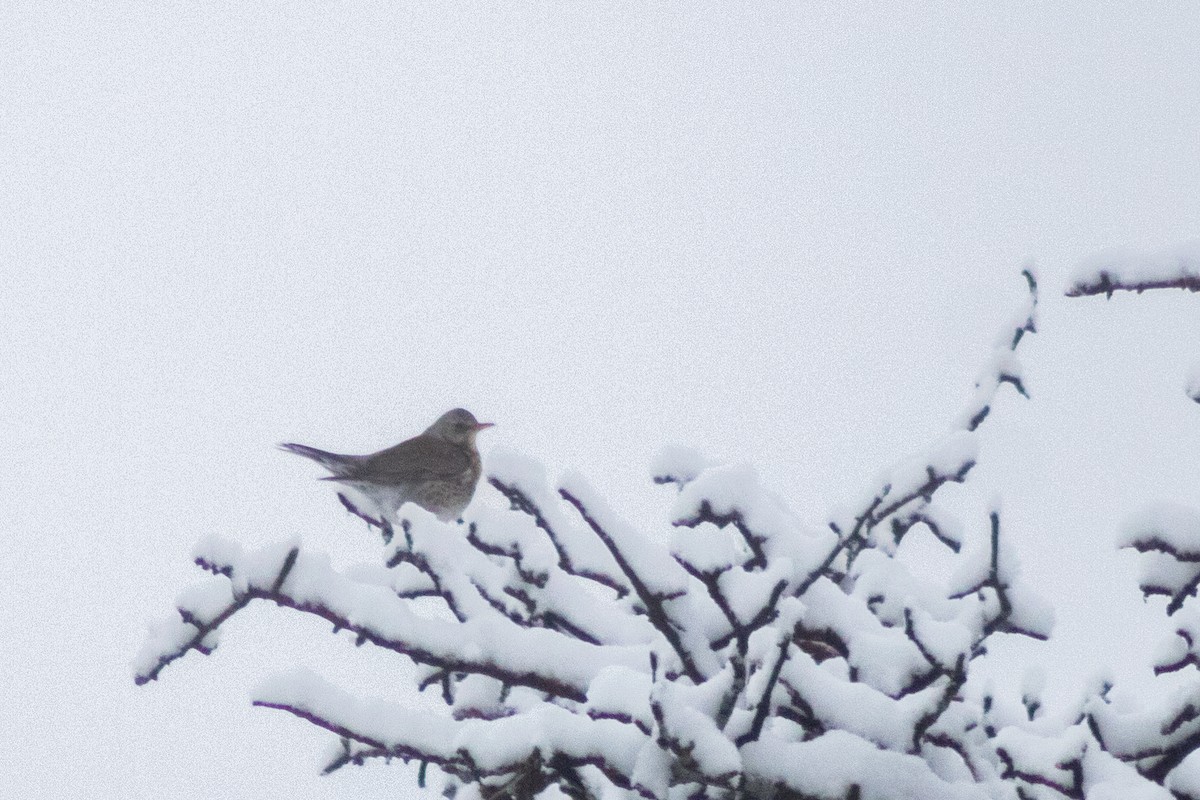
x=1124 y=270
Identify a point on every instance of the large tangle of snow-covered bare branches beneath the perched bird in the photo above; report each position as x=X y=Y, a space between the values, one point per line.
x=740 y=654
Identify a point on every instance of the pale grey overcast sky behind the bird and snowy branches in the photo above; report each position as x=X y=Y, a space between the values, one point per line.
x=784 y=233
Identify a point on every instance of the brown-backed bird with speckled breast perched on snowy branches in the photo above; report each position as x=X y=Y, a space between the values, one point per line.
x=437 y=471
